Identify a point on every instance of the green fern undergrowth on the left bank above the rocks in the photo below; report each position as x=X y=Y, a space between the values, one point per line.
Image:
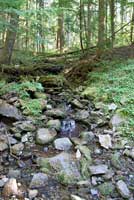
x=23 y=90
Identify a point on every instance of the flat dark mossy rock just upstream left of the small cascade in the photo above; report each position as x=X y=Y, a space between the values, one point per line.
x=56 y=113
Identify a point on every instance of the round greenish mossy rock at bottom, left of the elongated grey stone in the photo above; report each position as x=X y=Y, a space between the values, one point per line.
x=106 y=189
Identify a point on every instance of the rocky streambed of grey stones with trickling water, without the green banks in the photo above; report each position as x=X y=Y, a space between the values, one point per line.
x=72 y=150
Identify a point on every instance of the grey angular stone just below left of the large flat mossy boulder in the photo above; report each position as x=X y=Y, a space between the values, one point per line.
x=39 y=180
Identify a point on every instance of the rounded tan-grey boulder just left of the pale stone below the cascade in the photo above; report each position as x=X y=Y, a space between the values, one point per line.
x=45 y=136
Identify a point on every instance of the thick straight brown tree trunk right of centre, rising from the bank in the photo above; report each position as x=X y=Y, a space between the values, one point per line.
x=101 y=28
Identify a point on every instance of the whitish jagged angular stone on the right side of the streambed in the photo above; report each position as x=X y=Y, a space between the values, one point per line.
x=105 y=141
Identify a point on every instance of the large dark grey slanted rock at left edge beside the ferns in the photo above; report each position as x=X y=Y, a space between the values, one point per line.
x=7 y=110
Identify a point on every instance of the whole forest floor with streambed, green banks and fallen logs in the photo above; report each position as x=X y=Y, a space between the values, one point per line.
x=62 y=139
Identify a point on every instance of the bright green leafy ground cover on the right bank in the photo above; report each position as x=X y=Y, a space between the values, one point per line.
x=115 y=83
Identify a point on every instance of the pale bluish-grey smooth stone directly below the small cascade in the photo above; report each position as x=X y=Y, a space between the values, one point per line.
x=63 y=144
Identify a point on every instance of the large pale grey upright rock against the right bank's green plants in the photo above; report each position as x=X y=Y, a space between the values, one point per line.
x=116 y=121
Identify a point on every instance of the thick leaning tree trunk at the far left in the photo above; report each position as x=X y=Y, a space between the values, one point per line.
x=6 y=54
